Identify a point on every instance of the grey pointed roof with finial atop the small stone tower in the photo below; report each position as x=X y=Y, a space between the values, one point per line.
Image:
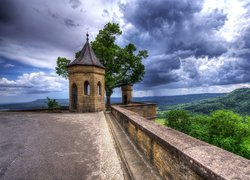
x=87 y=57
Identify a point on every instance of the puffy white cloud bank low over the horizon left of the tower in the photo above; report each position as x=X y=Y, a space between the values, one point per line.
x=33 y=83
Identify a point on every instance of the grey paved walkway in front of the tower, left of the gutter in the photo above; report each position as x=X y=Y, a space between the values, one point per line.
x=57 y=146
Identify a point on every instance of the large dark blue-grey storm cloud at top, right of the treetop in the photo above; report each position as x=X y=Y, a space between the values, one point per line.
x=177 y=26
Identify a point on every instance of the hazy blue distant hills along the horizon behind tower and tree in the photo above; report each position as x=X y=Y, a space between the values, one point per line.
x=163 y=102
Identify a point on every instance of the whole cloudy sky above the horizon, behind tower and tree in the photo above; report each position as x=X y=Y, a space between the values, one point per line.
x=195 y=46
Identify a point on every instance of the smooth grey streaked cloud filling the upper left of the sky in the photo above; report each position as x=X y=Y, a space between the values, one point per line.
x=37 y=32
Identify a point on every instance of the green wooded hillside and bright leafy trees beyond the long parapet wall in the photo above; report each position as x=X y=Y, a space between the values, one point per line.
x=222 y=121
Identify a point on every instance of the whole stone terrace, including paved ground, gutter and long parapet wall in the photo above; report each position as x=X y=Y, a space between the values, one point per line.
x=124 y=145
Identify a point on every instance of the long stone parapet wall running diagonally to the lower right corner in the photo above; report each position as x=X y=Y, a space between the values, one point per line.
x=177 y=155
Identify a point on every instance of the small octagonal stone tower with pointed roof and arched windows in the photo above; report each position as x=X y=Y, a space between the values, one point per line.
x=86 y=82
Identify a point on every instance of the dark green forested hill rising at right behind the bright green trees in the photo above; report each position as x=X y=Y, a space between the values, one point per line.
x=237 y=101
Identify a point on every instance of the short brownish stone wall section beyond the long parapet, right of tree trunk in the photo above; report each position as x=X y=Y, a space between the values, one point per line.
x=147 y=110
